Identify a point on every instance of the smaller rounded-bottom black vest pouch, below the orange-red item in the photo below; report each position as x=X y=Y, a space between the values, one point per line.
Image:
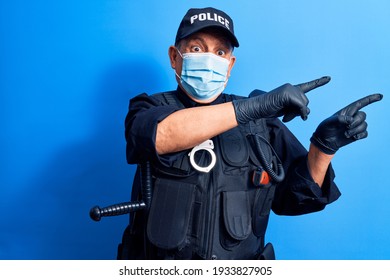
x=236 y=214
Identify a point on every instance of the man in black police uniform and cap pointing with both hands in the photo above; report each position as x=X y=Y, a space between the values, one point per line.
x=219 y=162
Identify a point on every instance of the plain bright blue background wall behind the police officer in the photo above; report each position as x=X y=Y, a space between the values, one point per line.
x=68 y=69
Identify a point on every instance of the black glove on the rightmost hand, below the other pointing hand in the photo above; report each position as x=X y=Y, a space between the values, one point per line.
x=344 y=127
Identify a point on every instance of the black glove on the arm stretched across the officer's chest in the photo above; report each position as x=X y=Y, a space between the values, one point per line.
x=287 y=100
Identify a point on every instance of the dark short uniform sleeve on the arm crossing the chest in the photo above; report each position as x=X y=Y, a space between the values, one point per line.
x=145 y=112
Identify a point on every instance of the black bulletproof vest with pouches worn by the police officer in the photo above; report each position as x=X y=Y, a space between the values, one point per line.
x=221 y=214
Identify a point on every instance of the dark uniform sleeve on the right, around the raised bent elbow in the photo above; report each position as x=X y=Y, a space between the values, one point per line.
x=298 y=193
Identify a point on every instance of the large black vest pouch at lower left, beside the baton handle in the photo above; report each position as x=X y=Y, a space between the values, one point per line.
x=170 y=213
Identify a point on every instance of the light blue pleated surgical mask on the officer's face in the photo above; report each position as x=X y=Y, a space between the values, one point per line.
x=203 y=75
